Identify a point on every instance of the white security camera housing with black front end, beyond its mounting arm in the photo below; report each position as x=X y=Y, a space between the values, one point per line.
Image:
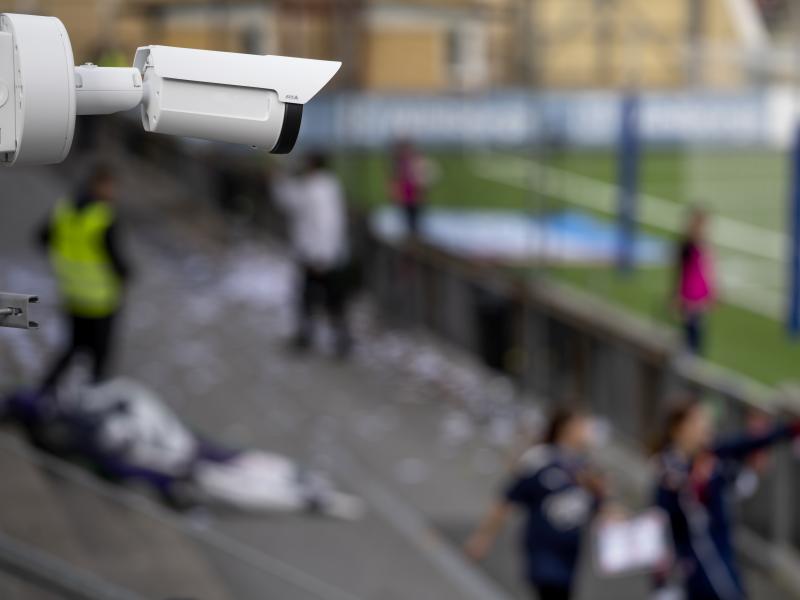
x=237 y=98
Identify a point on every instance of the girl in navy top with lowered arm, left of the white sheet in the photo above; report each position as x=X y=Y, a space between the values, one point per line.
x=560 y=496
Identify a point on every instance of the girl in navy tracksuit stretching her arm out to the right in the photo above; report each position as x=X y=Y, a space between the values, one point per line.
x=694 y=488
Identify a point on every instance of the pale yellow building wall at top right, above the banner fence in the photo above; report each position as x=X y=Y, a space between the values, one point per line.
x=645 y=44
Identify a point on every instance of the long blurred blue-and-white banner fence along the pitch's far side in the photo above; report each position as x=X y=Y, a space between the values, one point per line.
x=515 y=118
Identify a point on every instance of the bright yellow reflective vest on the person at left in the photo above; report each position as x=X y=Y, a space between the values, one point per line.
x=89 y=284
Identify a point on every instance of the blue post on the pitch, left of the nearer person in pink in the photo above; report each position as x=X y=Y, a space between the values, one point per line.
x=628 y=181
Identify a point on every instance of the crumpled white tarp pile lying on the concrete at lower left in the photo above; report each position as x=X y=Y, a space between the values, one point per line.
x=137 y=427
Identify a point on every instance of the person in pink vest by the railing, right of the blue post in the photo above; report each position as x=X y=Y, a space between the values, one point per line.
x=695 y=283
